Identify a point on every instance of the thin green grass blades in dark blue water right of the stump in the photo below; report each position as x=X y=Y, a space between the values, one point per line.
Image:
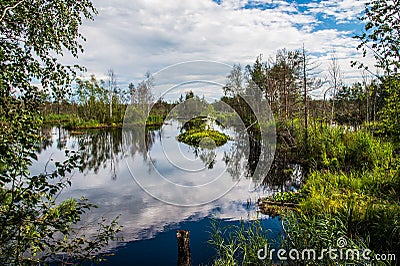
x=238 y=245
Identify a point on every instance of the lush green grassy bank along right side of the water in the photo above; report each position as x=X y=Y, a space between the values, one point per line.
x=351 y=192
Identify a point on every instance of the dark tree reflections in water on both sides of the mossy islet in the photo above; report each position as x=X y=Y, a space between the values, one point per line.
x=246 y=156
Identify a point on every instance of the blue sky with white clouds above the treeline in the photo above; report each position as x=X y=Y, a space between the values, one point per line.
x=133 y=37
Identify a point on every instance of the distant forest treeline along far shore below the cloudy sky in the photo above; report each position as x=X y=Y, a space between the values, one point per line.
x=290 y=81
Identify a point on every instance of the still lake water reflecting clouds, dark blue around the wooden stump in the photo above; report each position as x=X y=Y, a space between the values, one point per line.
x=121 y=175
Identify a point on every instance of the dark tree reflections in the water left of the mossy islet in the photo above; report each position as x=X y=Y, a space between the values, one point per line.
x=101 y=148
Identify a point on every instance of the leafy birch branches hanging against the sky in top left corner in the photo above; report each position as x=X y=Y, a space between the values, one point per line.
x=29 y=31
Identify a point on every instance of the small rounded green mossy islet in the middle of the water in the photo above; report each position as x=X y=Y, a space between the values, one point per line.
x=194 y=137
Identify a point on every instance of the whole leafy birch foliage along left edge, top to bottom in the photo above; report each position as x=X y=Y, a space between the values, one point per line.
x=33 y=227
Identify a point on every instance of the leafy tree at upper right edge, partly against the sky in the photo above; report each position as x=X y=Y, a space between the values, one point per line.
x=381 y=36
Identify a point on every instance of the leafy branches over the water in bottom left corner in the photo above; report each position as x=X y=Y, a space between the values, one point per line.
x=34 y=228
